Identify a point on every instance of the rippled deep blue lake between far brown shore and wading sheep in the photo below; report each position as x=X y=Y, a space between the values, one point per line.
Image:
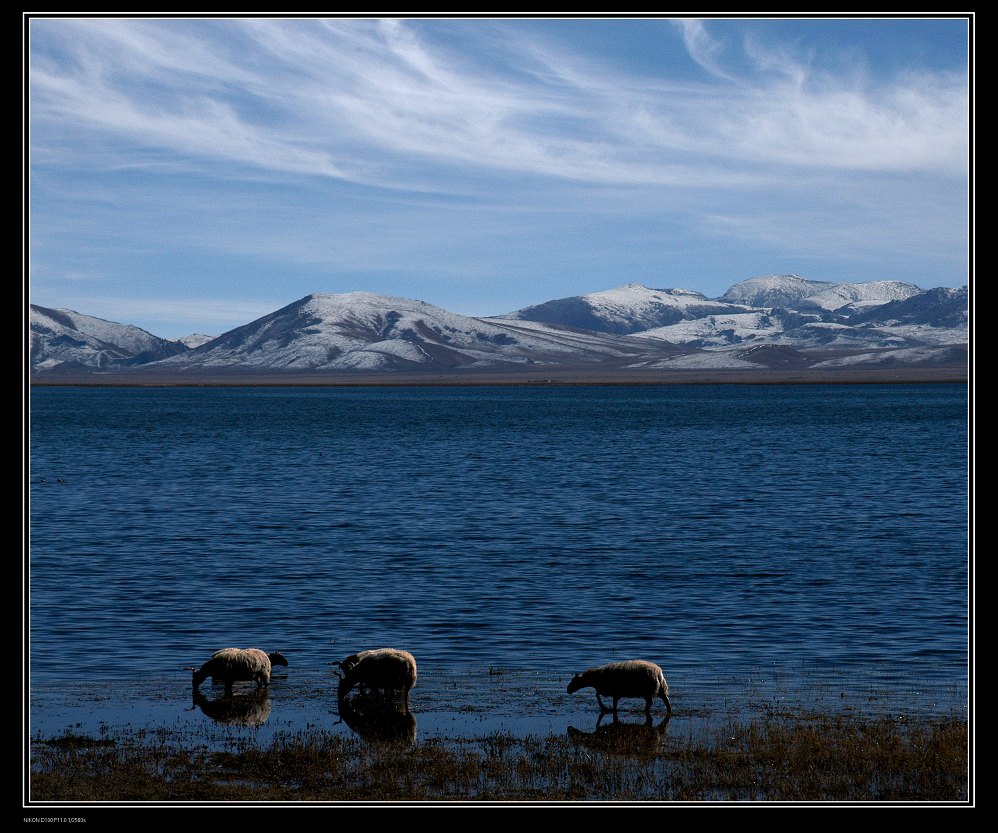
x=544 y=529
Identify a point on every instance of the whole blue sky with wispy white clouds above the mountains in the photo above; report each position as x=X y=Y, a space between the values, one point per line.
x=190 y=175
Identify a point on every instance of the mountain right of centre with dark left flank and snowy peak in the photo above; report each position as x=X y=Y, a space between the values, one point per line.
x=630 y=308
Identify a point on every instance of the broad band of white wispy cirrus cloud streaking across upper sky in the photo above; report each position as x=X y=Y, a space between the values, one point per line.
x=383 y=102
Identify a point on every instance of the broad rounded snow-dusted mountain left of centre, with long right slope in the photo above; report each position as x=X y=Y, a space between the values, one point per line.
x=367 y=331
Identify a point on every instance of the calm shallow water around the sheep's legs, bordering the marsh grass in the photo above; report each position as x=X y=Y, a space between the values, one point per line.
x=451 y=703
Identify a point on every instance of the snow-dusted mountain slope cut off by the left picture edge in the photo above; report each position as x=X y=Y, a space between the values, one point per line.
x=62 y=338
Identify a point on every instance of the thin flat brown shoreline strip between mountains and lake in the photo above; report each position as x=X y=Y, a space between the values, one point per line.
x=564 y=377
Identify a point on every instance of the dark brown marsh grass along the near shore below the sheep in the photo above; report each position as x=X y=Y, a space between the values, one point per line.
x=799 y=758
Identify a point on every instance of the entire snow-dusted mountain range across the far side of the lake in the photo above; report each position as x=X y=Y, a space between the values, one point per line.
x=829 y=324
